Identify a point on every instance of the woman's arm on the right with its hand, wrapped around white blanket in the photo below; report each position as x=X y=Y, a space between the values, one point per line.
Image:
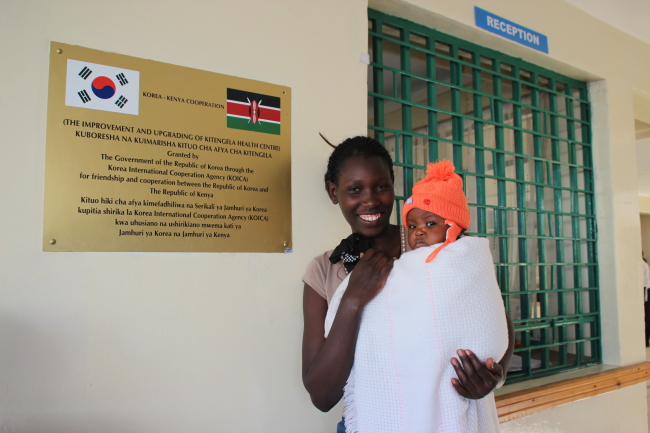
x=475 y=379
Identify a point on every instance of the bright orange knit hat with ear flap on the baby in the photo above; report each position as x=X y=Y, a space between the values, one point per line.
x=441 y=193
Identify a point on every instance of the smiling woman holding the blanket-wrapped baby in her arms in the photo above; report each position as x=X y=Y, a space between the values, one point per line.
x=360 y=179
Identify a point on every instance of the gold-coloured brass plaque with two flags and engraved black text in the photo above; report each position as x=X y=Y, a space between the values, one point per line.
x=149 y=156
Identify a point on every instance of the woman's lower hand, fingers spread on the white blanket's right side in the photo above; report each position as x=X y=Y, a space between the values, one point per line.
x=475 y=379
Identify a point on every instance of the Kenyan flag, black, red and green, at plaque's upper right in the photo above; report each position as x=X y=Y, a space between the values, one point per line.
x=253 y=112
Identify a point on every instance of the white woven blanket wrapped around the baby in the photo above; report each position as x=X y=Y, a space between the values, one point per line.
x=401 y=378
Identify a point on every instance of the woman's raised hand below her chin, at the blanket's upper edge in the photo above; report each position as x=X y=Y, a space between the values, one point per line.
x=369 y=277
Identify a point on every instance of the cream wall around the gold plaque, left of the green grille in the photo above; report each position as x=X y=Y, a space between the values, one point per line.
x=119 y=342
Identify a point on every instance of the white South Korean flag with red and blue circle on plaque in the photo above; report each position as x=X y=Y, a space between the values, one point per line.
x=100 y=87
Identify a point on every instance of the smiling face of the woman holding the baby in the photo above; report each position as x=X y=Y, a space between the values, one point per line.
x=364 y=192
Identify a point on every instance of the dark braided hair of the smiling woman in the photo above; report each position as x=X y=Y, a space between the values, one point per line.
x=355 y=146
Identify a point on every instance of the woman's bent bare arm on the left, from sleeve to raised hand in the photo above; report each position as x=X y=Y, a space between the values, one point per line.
x=326 y=363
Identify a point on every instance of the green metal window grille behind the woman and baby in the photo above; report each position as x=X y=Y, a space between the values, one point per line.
x=520 y=137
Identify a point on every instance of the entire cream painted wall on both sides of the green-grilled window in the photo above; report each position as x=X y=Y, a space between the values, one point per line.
x=211 y=342
